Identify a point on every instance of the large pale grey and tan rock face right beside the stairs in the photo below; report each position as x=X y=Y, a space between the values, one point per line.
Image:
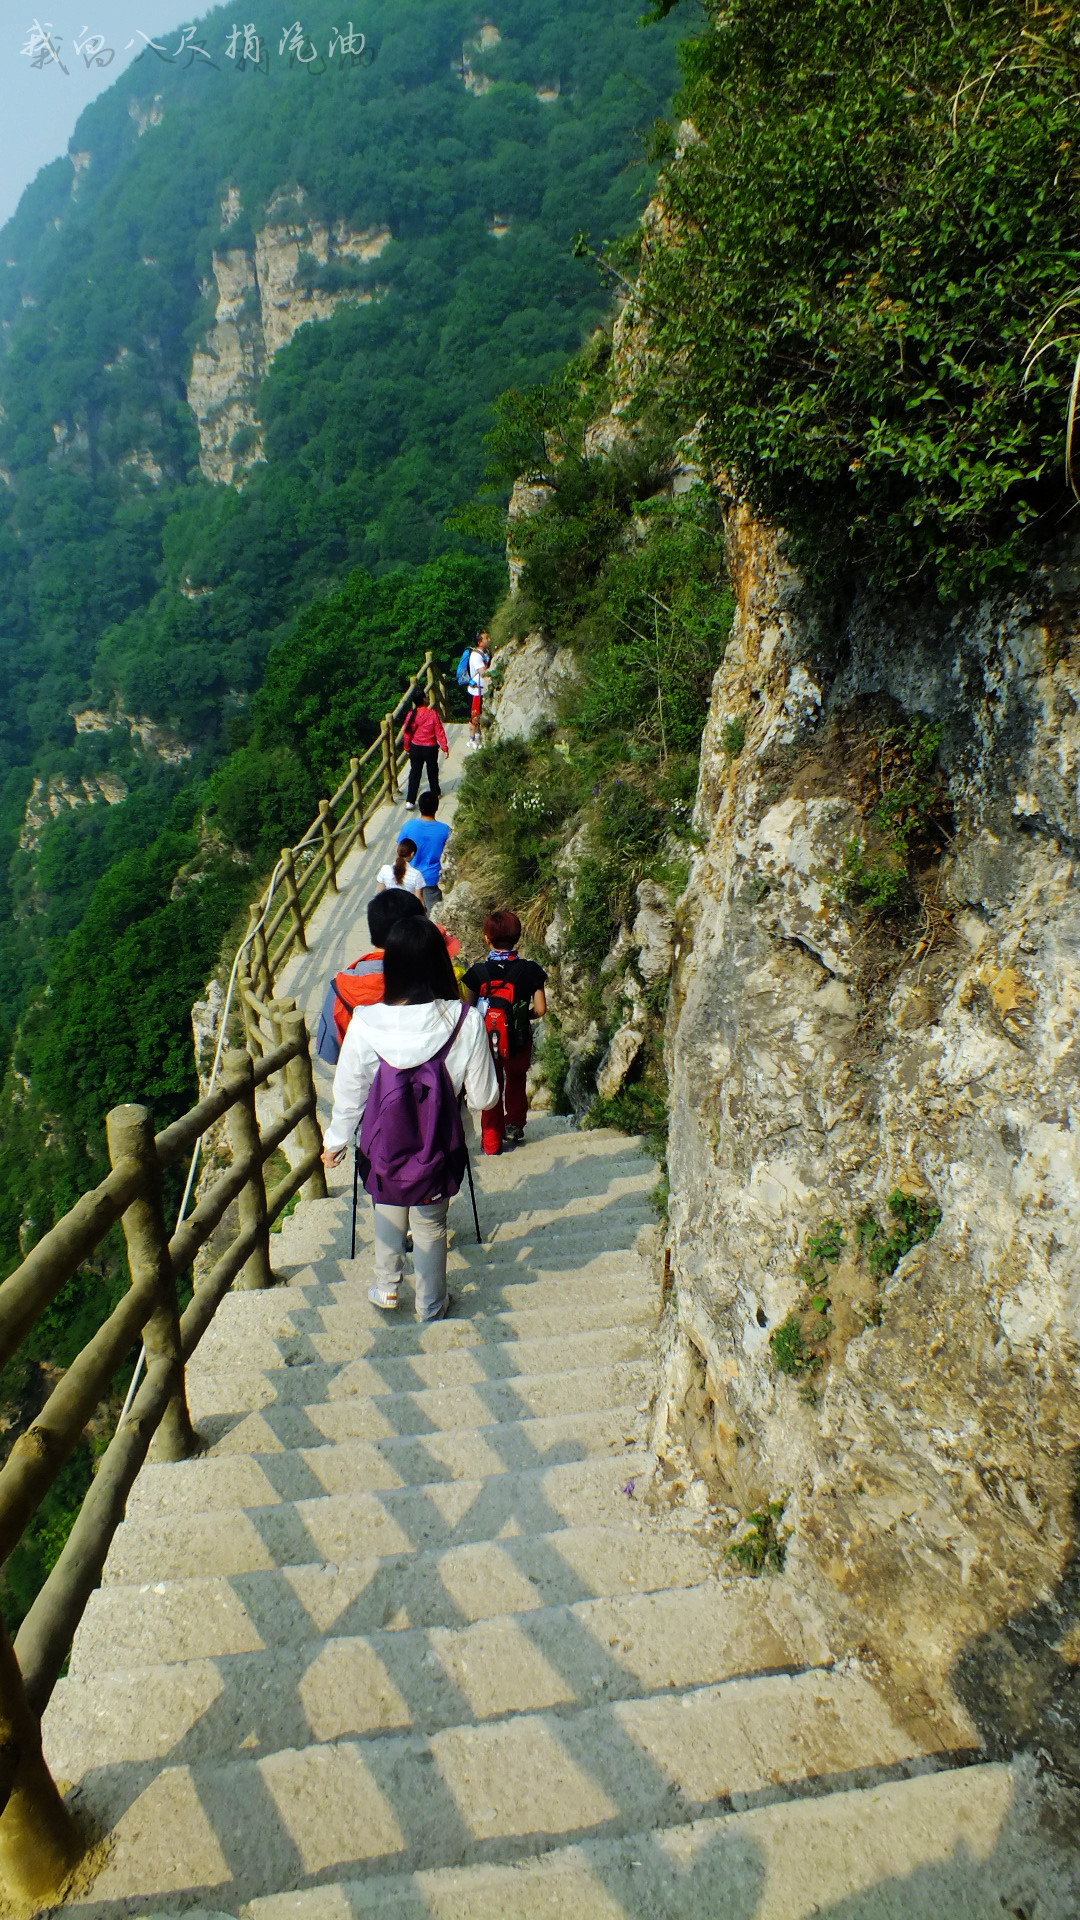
x=825 y=1057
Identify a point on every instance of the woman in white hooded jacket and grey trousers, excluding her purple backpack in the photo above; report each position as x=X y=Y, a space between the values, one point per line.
x=412 y=1024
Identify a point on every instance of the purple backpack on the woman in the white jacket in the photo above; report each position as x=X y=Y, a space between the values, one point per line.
x=412 y=1143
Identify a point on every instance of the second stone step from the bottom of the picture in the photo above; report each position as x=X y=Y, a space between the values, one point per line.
x=485 y=1792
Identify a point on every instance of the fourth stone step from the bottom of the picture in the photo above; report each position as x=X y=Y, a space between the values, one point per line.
x=212 y=1616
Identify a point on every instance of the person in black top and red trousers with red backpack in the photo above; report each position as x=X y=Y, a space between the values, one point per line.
x=510 y=994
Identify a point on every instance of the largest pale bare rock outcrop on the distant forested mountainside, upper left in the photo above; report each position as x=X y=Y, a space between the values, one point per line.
x=264 y=297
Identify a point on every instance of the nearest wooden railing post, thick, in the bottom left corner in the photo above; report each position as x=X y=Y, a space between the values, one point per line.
x=39 y=1842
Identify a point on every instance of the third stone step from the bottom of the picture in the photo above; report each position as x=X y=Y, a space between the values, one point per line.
x=416 y=1681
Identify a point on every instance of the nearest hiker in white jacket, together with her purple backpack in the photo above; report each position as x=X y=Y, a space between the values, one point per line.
x=401 y=1080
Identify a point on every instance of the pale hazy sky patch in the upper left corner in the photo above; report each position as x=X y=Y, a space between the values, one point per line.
x=39 y=107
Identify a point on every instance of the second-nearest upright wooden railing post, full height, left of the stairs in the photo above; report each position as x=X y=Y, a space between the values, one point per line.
x=130 y=1134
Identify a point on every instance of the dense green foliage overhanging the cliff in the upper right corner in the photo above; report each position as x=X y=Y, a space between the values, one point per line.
x=879 y=216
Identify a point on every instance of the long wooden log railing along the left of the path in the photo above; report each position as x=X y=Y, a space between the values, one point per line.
x=39 y=1840
